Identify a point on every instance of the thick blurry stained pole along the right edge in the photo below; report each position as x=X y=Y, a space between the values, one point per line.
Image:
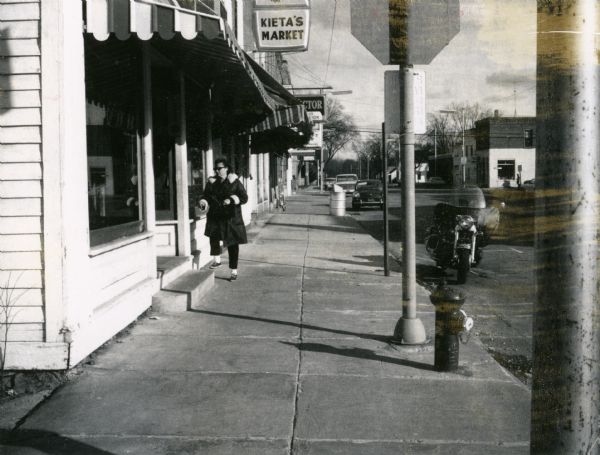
x=565 y=400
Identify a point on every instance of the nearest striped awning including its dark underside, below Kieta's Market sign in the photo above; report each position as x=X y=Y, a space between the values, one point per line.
x=201 y=44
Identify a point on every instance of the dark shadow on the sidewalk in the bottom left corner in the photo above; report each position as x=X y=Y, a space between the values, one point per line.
x=47 y=442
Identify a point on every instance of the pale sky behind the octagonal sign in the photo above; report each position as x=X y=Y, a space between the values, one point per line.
x=489 y=61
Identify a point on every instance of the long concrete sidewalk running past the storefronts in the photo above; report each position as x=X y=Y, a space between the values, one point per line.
x=291 y=358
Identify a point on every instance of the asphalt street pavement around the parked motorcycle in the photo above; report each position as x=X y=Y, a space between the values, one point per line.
x=499 y=292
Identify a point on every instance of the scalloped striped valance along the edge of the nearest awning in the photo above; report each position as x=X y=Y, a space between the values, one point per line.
x=147 y=19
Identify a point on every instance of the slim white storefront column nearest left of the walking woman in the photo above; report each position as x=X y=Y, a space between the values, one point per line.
x=181 y=177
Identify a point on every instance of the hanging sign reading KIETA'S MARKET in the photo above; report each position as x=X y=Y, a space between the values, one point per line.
x=281 y=25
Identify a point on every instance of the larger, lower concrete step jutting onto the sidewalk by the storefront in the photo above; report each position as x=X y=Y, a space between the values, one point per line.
x=184 y=293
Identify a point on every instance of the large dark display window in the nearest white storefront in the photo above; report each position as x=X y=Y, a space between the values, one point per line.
x=114 y=167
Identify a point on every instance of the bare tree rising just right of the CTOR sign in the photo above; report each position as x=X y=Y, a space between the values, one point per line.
x=338 y=132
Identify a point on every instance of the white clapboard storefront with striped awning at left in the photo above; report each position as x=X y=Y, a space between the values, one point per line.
x=132 y=111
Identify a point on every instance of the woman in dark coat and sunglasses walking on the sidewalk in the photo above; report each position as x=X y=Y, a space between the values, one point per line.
x=223 y=197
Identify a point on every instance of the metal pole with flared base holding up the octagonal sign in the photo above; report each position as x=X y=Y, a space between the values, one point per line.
x=409 y=329
